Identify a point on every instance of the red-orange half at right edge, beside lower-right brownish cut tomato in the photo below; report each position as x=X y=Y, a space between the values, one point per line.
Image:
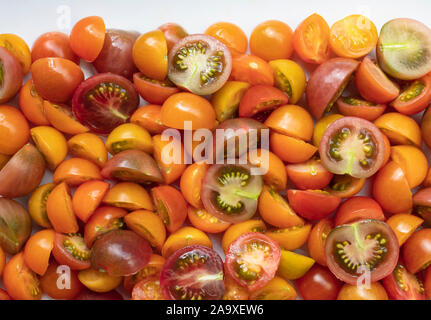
x=416 y=251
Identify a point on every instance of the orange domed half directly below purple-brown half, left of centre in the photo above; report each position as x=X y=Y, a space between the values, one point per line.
x=128 y=195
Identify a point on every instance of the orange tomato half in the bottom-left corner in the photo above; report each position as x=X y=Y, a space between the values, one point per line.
x=20 y=282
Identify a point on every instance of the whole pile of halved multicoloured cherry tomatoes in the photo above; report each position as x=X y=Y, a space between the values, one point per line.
x=117 y=217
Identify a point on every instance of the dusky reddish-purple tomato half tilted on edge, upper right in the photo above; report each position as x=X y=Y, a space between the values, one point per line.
x=325 y=84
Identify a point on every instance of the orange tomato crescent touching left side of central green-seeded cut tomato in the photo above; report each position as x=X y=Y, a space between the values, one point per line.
x=191 y=183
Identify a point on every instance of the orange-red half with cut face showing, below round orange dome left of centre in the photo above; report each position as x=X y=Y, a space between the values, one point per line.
x=170 y=171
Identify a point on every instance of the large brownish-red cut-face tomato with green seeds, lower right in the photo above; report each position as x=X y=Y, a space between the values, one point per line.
x=350 y=248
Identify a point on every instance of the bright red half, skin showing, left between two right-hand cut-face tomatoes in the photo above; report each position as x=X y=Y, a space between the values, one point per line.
x=313 y=205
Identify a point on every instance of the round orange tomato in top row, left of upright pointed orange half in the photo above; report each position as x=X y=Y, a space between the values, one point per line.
x=272 y=40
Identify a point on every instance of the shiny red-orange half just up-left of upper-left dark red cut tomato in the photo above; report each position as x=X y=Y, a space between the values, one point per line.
x=56 y=79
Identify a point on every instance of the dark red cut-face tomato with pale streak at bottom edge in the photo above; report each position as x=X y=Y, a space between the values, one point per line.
x=184 y=277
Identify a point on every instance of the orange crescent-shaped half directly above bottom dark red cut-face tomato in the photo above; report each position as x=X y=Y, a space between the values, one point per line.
x=186 y=236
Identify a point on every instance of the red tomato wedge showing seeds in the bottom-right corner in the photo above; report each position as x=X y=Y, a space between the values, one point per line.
x=402 y=285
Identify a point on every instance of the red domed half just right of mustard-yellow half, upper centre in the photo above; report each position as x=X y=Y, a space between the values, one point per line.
x=260 y=98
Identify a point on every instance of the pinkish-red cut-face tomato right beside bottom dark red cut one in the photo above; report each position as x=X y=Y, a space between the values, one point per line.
x=246 y=262
